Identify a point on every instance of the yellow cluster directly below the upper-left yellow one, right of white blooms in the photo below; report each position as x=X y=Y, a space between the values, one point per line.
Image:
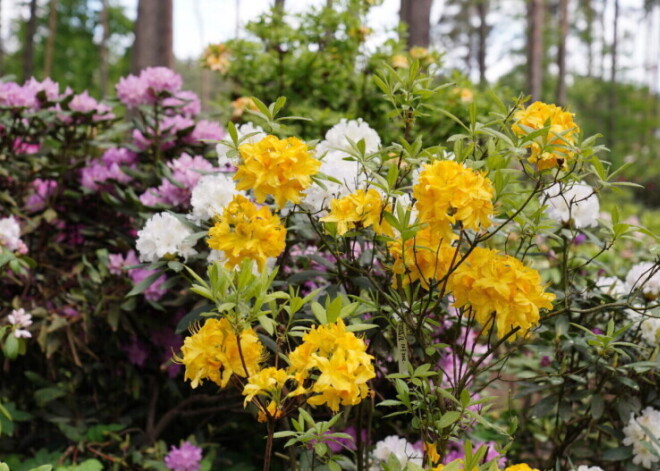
x=245 y=231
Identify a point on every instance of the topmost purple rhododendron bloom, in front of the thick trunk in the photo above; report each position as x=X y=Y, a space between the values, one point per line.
x=151 y=84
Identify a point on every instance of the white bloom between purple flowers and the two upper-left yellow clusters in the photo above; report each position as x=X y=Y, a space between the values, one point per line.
x=210 y=196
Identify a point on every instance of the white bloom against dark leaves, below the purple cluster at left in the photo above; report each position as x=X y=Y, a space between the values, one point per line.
x=164 y=234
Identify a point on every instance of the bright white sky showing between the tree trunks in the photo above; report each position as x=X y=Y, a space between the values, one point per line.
x=200 y=22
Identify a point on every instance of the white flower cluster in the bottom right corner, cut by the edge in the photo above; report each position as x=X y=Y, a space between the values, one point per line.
x=641 y=442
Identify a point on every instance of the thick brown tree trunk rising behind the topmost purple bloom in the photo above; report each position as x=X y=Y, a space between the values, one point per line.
x=153 y=35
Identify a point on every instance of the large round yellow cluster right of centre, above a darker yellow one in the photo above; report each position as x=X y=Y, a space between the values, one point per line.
x=448 y=192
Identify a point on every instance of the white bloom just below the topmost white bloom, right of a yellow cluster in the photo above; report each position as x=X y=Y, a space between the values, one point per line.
x=348 y=172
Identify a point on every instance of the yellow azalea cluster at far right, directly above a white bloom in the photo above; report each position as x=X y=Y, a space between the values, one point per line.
x=555 y=148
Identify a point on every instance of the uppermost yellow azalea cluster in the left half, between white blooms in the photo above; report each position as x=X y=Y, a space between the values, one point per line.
x=282 y=168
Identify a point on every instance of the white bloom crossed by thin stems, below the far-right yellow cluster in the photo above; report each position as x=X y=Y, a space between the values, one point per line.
x=576 y=203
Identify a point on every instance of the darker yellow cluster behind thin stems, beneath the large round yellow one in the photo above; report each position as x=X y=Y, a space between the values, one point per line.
x=425 y=257
